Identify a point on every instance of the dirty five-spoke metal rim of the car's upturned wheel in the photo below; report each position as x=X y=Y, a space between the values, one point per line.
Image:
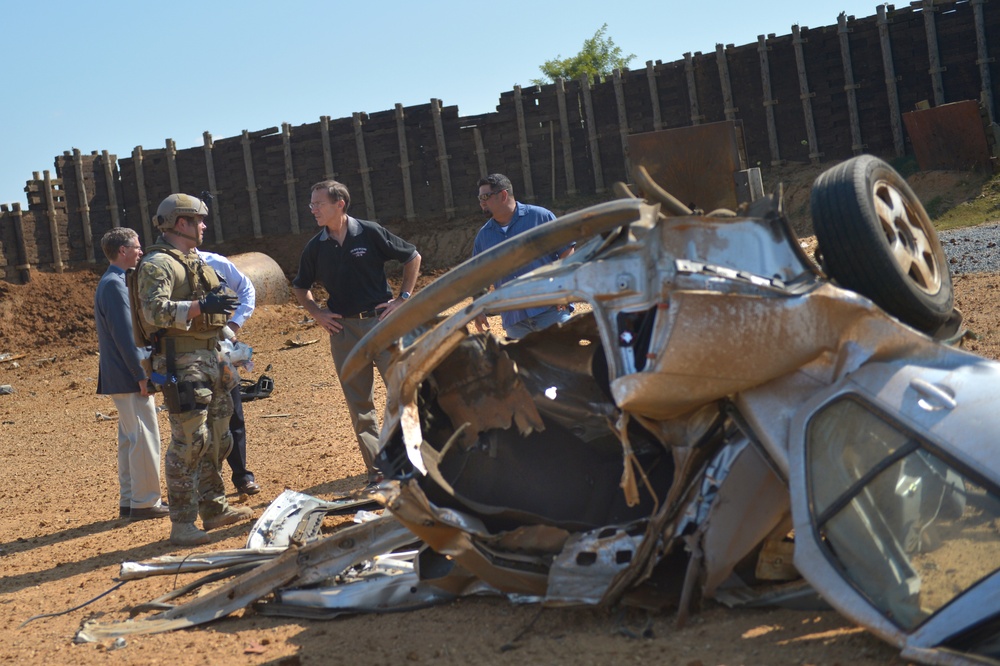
x=910 y=236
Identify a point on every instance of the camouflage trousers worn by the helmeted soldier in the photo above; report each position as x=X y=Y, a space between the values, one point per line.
x=199 y=438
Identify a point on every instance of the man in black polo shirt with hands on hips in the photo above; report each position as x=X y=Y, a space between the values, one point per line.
x=348 y=258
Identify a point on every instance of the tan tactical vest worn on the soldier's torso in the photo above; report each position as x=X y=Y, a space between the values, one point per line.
x=193 y=279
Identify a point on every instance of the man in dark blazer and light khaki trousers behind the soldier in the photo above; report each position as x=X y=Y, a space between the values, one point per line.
x=121 y=376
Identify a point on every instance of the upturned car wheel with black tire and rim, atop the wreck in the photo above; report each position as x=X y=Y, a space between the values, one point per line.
x=875 y=238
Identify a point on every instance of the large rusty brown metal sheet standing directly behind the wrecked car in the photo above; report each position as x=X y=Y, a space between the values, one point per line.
x=696 y=164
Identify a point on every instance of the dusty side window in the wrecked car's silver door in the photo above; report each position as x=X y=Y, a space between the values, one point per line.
x=909 y=530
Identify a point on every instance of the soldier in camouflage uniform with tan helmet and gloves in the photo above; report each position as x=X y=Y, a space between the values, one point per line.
x=184 y=310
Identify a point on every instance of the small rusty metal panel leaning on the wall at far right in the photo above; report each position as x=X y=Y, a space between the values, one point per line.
x=950 y=136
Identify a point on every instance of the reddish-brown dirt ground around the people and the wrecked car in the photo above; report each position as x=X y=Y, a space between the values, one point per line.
x=61 y=542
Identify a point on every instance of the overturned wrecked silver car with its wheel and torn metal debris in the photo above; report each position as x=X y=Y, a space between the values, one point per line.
x=719 y=407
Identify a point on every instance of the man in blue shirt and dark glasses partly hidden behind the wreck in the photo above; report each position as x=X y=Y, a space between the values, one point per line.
x=509 y=218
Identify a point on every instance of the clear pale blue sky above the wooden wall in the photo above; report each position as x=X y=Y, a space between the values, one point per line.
x=115 y=74
